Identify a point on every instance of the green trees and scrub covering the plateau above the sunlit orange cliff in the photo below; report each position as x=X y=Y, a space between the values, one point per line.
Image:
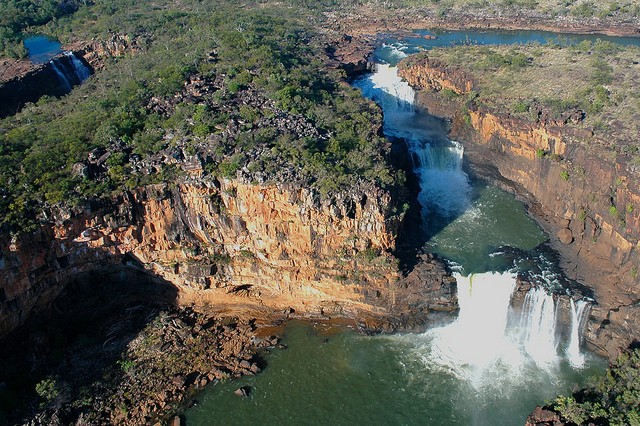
x=260 y=67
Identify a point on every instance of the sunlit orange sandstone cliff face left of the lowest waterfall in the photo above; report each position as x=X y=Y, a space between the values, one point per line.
x=238 y=247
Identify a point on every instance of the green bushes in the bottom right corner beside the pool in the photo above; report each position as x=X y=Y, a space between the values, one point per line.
x=612 y=400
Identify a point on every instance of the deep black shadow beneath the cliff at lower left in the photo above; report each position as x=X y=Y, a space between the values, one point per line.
x=80 y=339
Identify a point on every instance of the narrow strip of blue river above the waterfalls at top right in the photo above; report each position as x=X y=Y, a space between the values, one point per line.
x=445 y=38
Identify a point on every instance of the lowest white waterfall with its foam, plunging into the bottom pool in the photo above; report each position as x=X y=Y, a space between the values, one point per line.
x=490 y=344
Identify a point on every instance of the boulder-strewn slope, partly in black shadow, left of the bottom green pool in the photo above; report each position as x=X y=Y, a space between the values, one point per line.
x=138 y=366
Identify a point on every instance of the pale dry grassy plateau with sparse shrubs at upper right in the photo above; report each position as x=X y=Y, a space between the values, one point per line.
x=590 y=84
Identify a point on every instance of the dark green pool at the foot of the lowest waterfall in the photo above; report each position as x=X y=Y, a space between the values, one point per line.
x=334 y=376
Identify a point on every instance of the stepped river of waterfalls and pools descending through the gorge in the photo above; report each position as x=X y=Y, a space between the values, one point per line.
x=491 y=366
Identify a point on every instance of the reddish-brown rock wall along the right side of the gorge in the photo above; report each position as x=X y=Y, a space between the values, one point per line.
x=583 y=193
